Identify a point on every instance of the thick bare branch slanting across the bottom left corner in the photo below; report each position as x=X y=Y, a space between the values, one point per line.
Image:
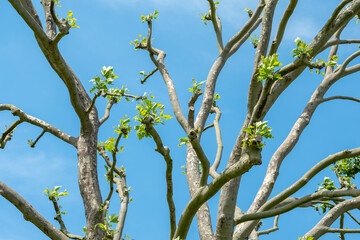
x=30 y=214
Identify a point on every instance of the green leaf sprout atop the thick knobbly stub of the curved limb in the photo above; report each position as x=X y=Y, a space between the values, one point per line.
x=255 y=131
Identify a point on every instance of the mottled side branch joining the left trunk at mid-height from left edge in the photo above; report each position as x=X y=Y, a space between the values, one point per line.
x=37 y=122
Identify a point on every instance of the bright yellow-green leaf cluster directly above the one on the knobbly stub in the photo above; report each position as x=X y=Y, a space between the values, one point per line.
x=266 y=69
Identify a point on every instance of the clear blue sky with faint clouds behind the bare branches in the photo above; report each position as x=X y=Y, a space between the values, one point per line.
x=106 y=28
